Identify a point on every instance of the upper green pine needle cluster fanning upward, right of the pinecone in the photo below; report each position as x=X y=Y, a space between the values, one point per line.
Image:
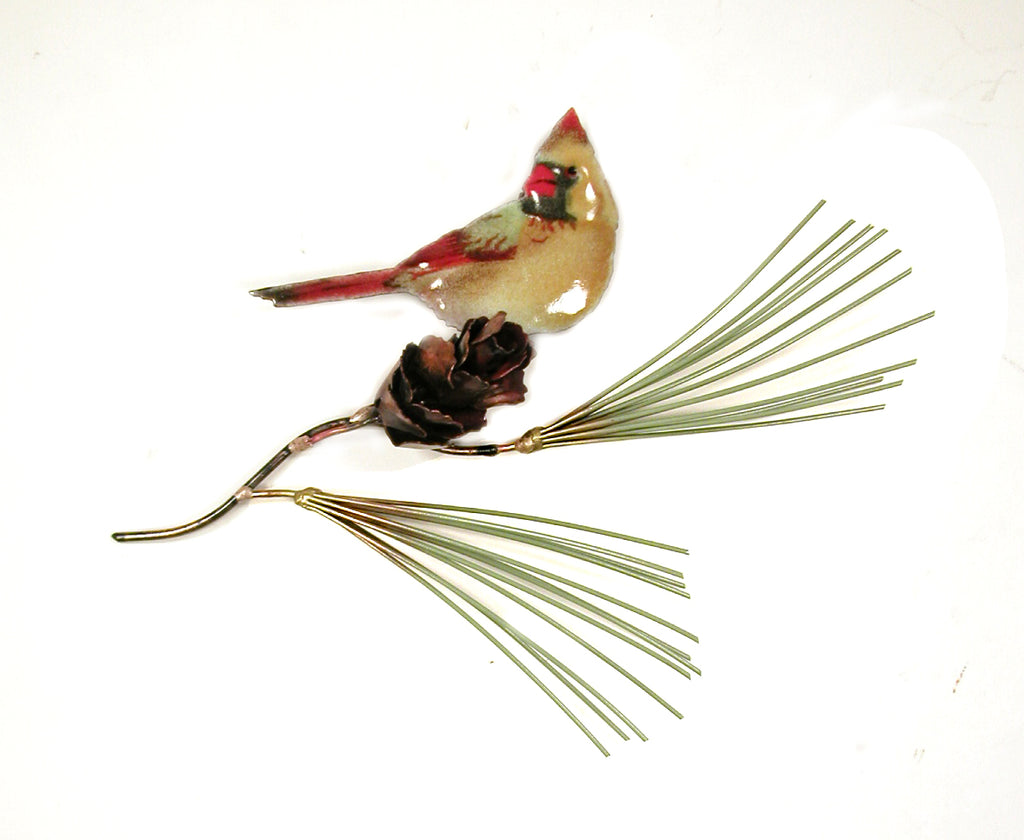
x=692 y=386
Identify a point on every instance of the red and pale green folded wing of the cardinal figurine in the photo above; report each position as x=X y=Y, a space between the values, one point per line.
x=493 y=236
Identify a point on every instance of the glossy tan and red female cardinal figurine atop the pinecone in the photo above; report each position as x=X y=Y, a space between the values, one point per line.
x=544 y=260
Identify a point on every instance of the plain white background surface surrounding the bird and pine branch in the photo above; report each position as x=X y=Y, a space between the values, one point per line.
x=858 y=584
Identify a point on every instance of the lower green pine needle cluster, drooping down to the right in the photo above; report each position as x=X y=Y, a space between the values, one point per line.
x=461 y=554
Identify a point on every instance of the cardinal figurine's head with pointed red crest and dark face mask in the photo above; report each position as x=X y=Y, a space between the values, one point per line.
x=567 y=182
